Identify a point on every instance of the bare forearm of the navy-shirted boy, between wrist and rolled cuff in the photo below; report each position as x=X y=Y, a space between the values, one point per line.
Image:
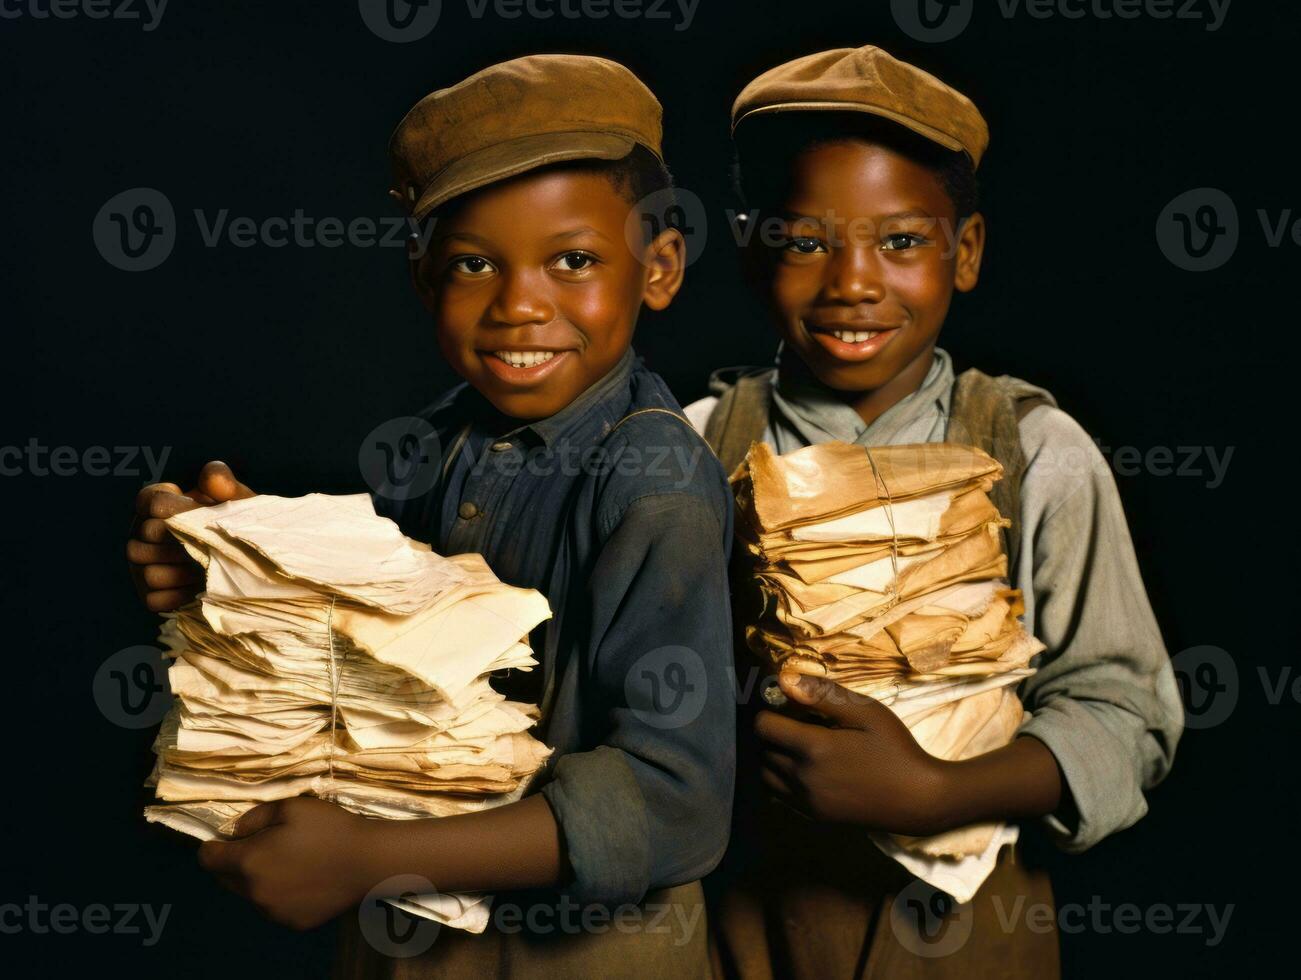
x=507 y=848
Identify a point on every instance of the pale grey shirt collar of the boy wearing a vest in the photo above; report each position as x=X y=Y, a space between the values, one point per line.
x=820 y=415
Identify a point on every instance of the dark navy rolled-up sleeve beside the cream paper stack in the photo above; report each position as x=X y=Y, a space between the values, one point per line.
x=651 y=805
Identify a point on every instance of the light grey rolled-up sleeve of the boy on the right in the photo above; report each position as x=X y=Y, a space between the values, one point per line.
x=1105 y=700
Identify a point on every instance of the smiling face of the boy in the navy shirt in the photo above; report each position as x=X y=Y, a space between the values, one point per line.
x=535 y=291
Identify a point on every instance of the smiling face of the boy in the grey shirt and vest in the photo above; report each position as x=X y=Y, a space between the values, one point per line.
x=861 y=264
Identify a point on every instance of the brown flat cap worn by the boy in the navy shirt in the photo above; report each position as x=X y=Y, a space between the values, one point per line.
x=517 y=116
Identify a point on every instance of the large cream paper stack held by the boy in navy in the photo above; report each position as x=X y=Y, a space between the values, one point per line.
x=330 y=655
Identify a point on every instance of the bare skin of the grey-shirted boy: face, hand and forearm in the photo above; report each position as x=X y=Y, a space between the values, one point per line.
x=870 y=241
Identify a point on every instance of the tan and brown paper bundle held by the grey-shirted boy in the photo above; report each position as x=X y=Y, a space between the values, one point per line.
x=885 y=572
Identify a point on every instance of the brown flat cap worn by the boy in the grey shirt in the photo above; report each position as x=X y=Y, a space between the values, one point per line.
x=870 y=80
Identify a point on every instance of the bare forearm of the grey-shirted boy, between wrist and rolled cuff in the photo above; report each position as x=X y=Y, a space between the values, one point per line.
x=1019 y=782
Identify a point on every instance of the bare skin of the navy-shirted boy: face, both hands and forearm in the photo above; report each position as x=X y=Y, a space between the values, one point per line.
x=564 y=282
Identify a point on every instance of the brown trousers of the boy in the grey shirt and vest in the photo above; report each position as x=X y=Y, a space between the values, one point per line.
x=814 y=903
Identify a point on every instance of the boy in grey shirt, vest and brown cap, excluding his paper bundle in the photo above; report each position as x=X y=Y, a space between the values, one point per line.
x=858 y=172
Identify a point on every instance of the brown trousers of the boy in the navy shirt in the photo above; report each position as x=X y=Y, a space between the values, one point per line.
x=665 y=936
